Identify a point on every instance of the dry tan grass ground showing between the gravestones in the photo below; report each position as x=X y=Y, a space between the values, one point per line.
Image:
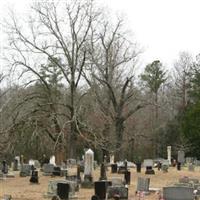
x=20 y=188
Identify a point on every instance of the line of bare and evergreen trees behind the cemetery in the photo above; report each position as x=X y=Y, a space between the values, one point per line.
x=77 y=88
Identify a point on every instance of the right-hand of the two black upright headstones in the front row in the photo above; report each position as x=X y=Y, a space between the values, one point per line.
x=100 y=188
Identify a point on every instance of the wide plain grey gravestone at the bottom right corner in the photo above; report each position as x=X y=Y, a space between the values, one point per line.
x=178 y=193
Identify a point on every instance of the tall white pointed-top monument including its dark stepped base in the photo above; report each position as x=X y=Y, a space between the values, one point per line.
x=88 y=169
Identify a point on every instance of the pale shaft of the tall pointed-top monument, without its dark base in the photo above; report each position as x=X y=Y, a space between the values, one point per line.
x=89 y=160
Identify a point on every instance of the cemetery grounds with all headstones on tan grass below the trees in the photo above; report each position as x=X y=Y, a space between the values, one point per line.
x=33 y=182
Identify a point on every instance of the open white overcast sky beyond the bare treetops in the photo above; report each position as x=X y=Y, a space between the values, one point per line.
x=162 y=28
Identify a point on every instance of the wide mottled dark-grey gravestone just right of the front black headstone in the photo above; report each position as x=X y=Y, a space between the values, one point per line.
x=119 y=192
